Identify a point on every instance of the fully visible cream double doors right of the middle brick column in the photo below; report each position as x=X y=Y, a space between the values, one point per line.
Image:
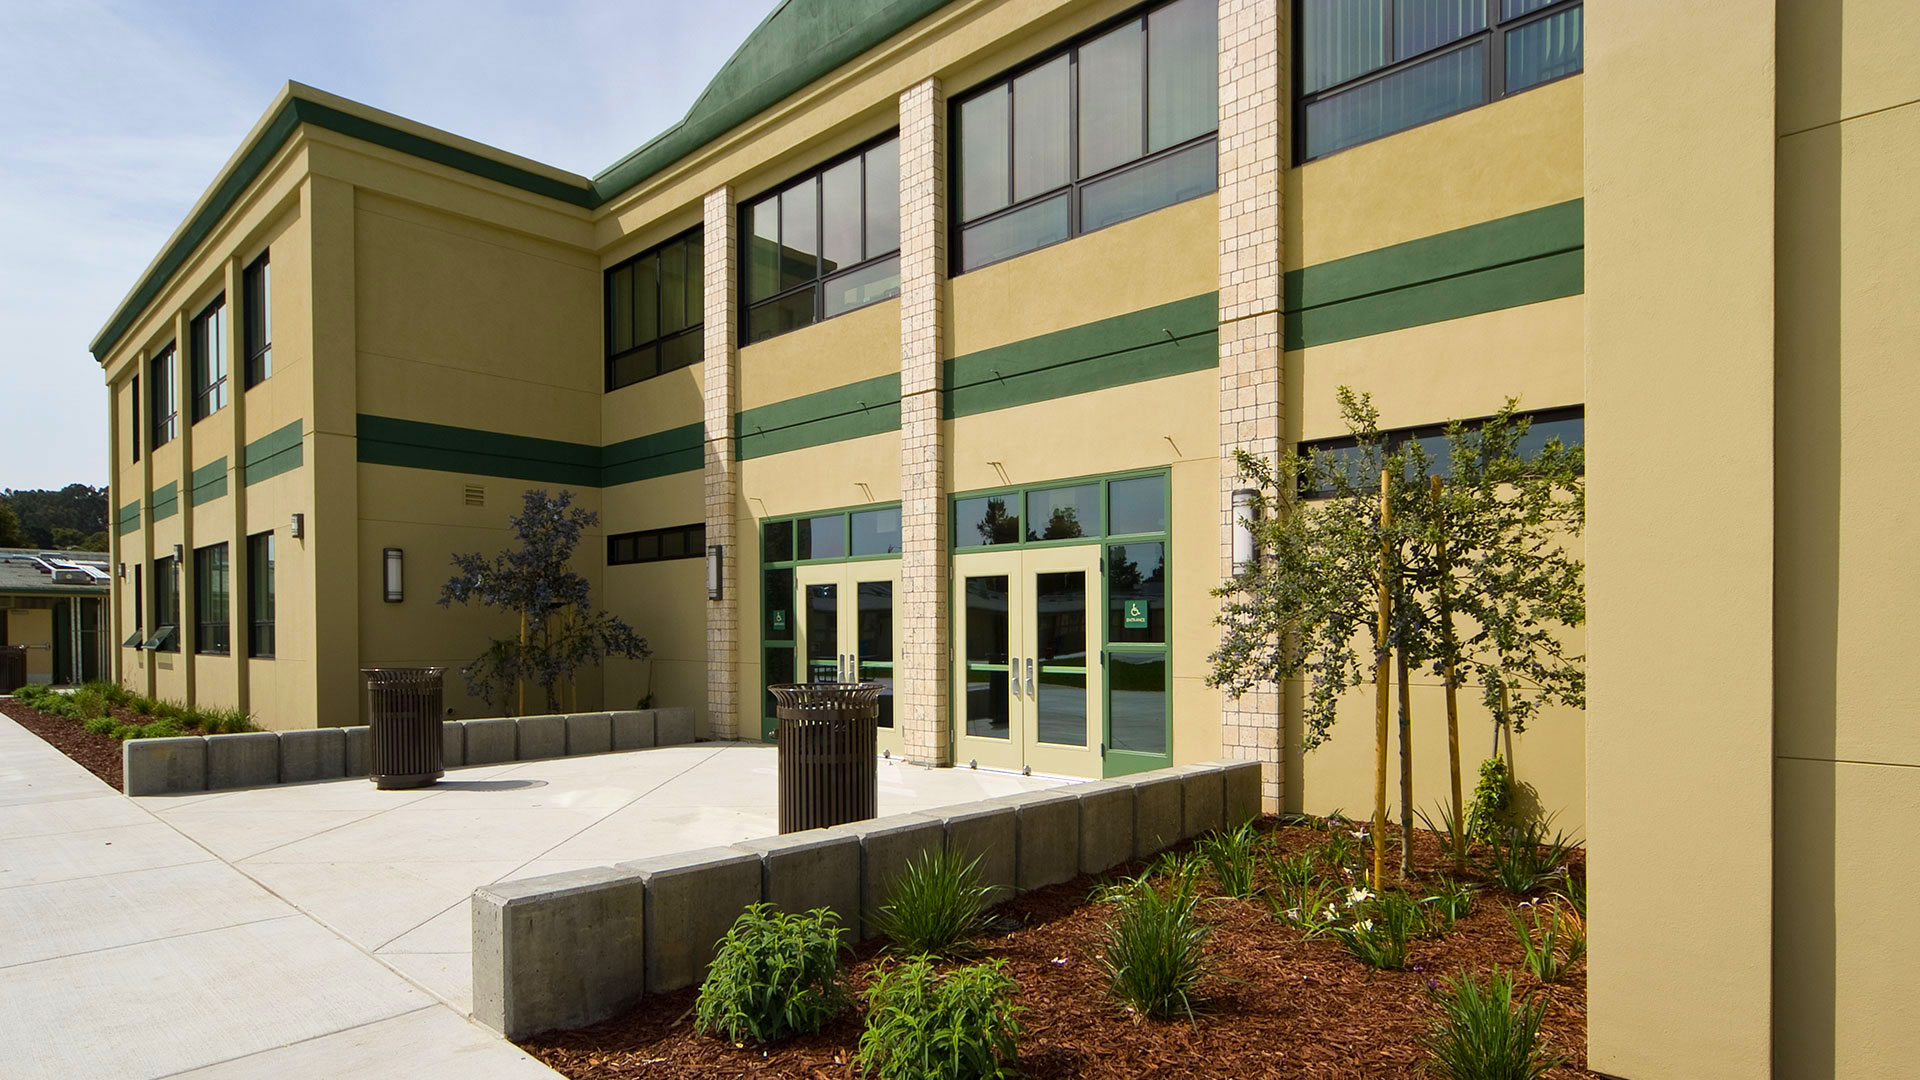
x=1028 y=689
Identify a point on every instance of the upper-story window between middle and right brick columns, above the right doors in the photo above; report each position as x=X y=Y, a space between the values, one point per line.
x=1115 y=126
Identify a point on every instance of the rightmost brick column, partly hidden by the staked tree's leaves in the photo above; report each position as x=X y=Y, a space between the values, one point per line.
x=1251 y=408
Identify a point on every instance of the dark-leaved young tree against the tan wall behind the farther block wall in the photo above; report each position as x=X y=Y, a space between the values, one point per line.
x=560 y=627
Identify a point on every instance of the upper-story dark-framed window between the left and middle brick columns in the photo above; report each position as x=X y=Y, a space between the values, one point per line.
x=823 y=245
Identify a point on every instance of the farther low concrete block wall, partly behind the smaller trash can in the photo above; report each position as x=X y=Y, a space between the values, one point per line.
x=256 y=760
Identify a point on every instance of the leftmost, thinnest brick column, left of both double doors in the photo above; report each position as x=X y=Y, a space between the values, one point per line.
x=721 y=381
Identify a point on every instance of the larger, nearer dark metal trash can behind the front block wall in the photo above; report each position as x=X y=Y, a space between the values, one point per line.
x=828 y=764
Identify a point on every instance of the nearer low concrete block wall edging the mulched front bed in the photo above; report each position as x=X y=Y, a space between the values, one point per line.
x=533 y=971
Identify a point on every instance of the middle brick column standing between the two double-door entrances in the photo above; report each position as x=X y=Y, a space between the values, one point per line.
x=921 y=693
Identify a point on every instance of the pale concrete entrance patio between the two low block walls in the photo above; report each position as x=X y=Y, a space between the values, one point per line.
x=395 y=871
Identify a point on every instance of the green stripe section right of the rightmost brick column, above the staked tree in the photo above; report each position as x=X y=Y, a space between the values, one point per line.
x=1468 y=272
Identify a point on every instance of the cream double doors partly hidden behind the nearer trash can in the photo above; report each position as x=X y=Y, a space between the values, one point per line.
x=852 y=631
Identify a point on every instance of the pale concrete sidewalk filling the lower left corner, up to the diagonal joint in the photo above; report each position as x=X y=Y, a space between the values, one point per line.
x=132 y=950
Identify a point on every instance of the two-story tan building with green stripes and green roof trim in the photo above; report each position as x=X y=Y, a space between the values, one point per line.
x=921 y=353
